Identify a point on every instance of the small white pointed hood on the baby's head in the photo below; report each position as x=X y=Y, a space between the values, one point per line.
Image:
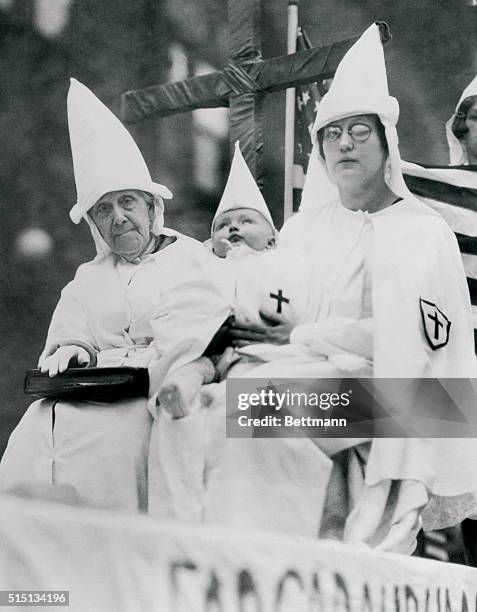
x=241 y=190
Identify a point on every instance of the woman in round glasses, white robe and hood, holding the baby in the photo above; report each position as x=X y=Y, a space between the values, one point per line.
x=384 y=265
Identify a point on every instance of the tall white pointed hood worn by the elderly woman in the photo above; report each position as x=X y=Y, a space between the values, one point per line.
x=105 y=157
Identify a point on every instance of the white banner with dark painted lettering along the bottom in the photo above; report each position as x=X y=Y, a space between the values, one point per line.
x=112 y=562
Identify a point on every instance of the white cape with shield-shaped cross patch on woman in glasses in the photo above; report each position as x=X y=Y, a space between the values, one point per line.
x=415 y=255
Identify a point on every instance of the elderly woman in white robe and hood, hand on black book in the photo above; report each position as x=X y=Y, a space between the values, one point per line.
x=97 y=450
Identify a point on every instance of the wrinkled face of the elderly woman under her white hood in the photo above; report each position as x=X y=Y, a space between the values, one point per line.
x=124 y=219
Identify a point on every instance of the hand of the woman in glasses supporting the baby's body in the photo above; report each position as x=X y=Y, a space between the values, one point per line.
x=273 y=331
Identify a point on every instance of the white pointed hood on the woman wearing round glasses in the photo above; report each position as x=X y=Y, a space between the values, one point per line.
x=359 y=87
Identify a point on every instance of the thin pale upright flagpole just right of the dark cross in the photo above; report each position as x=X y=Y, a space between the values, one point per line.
x=290 y=114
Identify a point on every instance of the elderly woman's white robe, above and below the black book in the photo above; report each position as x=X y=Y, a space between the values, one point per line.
x=101 y=450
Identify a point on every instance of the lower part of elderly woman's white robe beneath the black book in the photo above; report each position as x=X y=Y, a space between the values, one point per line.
x=98 y=450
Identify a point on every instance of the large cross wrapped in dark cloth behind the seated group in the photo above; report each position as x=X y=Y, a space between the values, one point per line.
x=241 y=85
